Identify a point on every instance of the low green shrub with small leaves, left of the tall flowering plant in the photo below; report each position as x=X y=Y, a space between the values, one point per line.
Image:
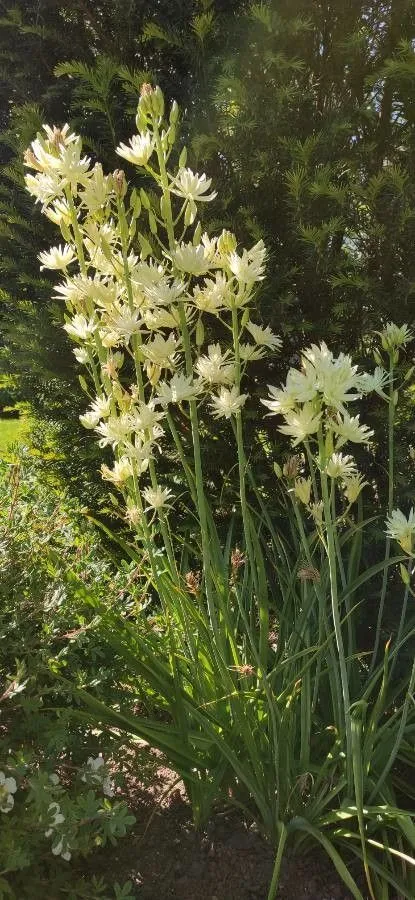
x=59 y=799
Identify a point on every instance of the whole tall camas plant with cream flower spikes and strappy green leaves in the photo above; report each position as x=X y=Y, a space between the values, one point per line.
x=267 y=697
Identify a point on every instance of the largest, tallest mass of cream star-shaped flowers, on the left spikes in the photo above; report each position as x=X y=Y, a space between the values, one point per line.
x=139 y=278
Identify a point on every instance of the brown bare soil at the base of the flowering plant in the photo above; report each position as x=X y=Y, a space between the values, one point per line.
x=165 y=858
